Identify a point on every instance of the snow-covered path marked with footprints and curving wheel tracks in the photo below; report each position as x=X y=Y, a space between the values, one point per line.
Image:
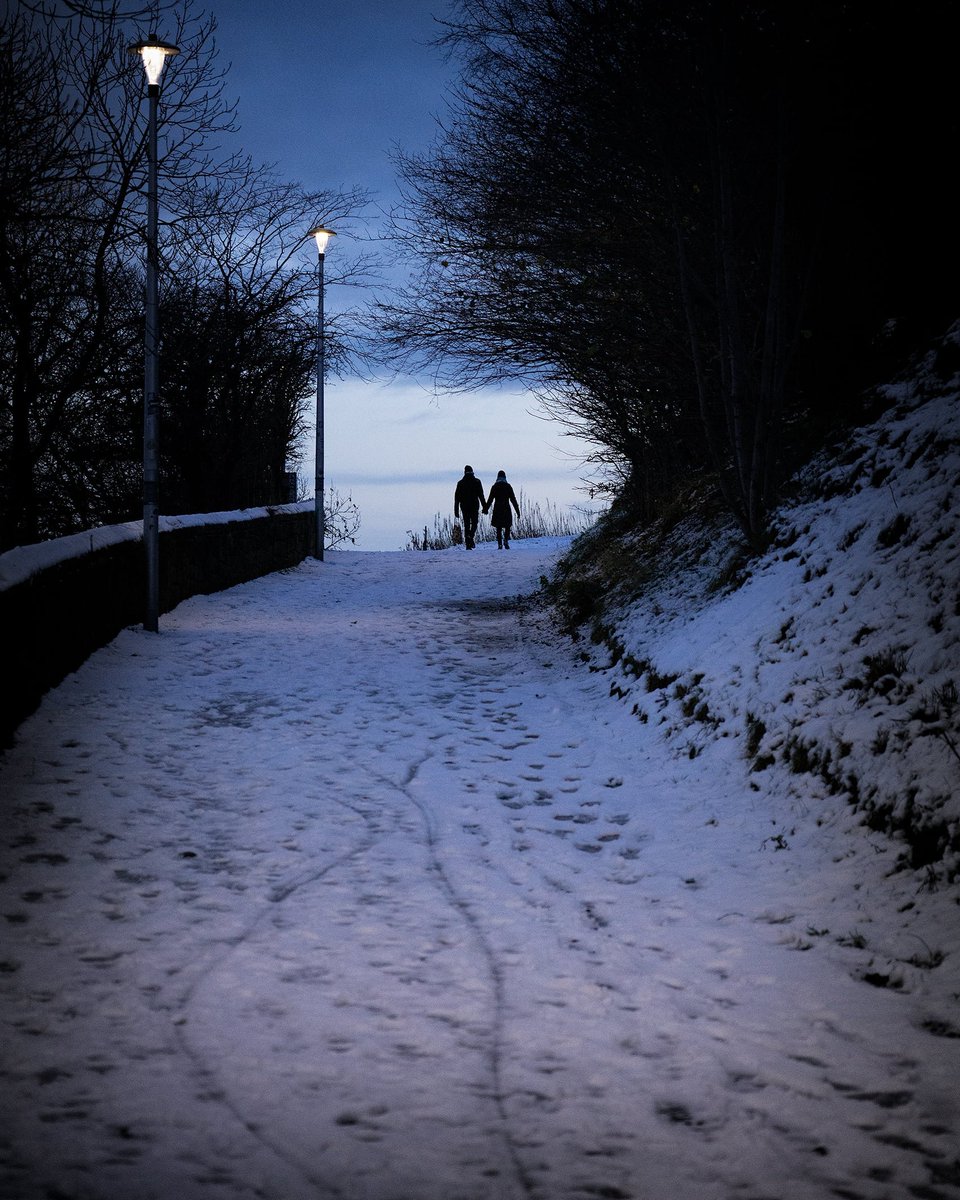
x=356 y=883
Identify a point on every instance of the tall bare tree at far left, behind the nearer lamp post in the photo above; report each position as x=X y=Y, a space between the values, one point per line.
x=70 y=229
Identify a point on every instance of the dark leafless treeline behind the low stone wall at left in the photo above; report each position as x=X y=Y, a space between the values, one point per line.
x=238 y=284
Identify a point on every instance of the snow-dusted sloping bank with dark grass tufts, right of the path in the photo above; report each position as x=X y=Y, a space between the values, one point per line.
x=836 y=657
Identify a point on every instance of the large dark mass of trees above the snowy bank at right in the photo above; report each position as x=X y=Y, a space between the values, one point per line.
x=699 y=230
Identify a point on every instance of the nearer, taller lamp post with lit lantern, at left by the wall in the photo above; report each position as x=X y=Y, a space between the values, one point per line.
x=154 y=55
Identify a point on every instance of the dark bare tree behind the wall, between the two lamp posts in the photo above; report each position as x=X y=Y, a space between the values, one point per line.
x=239 y=337
